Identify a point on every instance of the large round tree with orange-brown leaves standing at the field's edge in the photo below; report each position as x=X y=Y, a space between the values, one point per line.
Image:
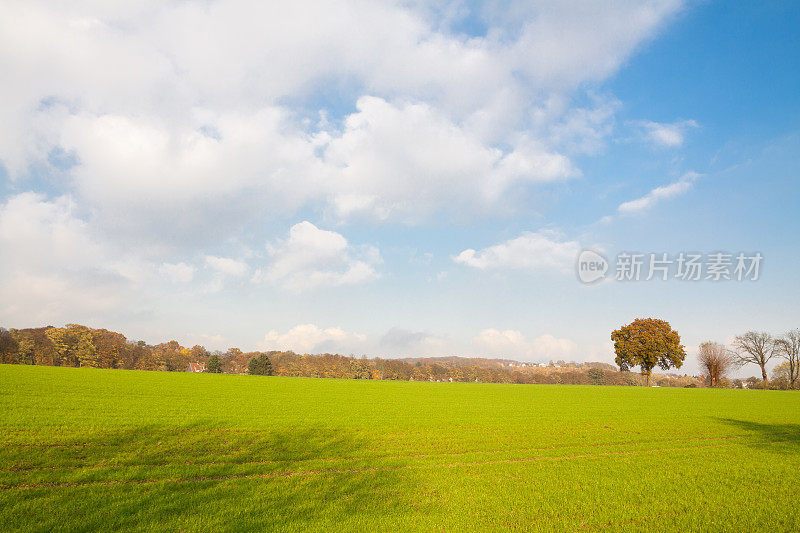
x=647 y=343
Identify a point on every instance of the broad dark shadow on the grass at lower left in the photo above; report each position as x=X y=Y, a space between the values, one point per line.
x=205 y=478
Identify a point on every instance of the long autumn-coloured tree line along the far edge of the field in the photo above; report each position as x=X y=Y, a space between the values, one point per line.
x=80 y=346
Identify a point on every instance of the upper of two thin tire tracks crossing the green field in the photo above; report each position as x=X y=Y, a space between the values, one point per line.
x=365 y=458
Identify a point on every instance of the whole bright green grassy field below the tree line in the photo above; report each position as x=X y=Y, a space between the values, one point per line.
x=85 y=449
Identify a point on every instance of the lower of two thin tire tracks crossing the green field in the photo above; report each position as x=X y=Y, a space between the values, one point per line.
x=299 y=473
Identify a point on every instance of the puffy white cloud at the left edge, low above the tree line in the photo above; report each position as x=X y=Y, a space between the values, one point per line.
x=53 y=268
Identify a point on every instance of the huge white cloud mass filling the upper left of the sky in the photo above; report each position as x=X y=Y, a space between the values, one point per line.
x=197 y=135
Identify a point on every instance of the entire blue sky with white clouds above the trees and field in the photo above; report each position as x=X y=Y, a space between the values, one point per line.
x=396 y=179
